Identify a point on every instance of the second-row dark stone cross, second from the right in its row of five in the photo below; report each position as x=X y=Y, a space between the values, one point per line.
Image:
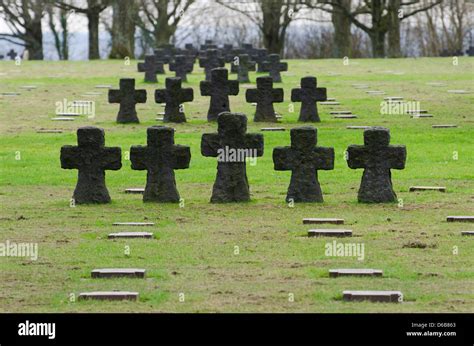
x=264 y=96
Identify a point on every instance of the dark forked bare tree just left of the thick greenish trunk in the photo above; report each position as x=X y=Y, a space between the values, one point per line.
x=92 y=11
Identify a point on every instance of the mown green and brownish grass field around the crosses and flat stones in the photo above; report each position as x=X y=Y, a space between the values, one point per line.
x=194 y=249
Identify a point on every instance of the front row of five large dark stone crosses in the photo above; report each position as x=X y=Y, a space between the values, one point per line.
x=161 y=156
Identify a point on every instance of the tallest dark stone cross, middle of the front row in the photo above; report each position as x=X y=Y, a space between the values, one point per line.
x=232 y=145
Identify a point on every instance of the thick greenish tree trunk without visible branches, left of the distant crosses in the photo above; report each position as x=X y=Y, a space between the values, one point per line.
x=124 y=19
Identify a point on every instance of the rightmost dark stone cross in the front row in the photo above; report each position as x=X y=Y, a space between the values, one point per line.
x=377 y=157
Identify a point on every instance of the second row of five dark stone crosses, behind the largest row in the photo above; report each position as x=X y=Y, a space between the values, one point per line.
x=218 y=88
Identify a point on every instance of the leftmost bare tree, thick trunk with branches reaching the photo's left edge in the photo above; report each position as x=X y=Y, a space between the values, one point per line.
x=23 y=18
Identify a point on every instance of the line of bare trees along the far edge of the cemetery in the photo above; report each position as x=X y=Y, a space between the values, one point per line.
x=155 y=22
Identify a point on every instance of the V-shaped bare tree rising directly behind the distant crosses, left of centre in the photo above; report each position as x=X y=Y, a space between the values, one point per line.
x=160 y=18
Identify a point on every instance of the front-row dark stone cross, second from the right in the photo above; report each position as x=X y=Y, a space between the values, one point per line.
x=303 y=159
